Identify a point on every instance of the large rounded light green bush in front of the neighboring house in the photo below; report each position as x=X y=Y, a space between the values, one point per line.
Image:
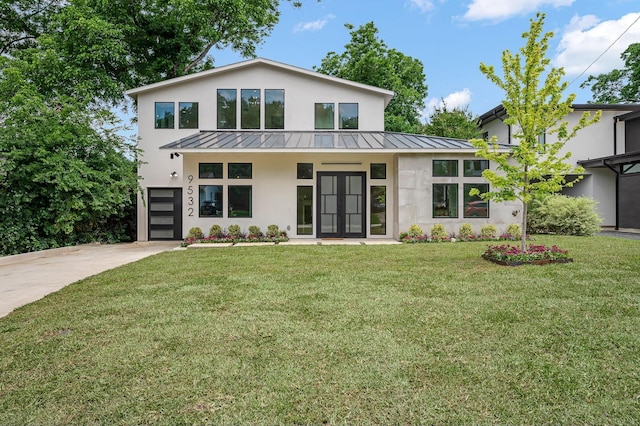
x=560 y=214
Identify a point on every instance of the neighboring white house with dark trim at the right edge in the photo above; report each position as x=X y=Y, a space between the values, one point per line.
x=608 y=150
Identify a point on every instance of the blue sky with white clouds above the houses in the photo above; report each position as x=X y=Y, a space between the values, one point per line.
x=451 y=38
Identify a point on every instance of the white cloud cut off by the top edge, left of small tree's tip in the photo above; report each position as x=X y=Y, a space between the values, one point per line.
x=498 y=10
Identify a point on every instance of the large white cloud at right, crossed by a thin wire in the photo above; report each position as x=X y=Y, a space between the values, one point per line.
x=585 y=38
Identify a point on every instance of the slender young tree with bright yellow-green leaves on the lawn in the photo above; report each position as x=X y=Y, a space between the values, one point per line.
x=531 y=167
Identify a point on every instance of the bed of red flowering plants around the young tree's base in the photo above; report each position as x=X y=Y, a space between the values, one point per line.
x=509 y=254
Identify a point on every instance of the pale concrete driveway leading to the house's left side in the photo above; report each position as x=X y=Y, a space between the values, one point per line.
x=28 y=277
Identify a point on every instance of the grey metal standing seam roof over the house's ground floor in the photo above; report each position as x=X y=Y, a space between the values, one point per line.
x=313 y=141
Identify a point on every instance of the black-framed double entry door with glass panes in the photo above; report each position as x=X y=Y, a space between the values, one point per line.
x=341 y=205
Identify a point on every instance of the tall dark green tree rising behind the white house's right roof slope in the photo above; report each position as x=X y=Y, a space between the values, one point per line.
x=368 y=60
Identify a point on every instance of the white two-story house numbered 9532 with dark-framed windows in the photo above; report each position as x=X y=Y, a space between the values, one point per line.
x=260 y=142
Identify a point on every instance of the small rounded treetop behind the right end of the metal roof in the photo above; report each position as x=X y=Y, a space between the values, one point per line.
x=455 y=123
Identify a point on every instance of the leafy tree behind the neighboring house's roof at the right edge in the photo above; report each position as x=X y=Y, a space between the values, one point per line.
x=618 y=85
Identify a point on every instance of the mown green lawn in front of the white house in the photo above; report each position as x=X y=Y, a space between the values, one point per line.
x=408 y=334
